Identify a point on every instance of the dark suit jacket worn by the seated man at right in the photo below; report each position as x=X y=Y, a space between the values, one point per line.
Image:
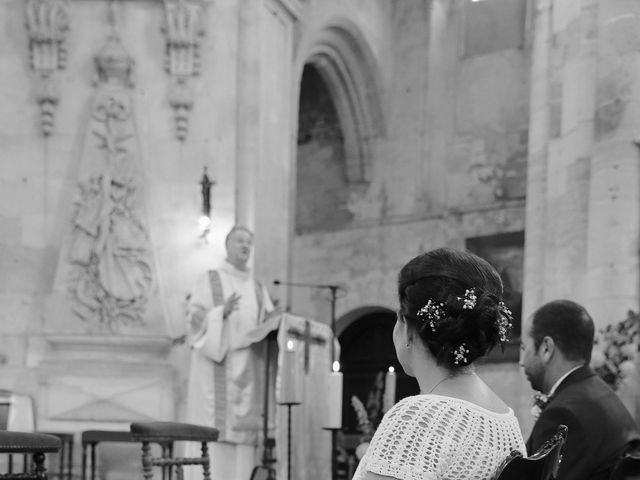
x=600 y=427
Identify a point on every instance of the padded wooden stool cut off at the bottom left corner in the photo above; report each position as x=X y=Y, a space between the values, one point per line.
x=28 y=444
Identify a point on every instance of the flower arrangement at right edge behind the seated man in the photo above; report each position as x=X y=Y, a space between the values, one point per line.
x=616 y=349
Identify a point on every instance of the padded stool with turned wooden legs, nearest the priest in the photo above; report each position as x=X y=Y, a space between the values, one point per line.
x=165 y=432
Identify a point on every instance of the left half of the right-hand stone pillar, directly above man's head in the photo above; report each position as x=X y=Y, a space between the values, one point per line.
x=561 y=149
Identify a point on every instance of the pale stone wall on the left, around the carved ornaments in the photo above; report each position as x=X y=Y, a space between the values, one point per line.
x=39 y=175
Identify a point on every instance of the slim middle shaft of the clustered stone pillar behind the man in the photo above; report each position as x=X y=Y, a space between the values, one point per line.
x=570 y=148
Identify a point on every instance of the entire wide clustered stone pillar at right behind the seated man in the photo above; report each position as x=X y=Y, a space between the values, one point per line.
x=582 y=199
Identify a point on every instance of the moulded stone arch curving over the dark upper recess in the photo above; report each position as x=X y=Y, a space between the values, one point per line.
x=346 y=63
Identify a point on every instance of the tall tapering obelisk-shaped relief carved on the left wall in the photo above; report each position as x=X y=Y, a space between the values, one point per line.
x=110 y=258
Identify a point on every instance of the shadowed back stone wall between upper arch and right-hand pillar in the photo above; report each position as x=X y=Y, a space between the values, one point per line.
x=449 y=164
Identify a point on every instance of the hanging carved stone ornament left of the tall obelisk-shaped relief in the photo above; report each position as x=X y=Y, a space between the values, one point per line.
x=47 y=27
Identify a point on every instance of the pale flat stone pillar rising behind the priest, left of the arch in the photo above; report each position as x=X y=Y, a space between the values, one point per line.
x=264 y=131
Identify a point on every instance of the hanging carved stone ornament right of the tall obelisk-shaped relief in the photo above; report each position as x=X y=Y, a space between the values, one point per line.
x=184 y=30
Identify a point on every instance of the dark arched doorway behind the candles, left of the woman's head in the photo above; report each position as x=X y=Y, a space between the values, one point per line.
x=367 y=352
